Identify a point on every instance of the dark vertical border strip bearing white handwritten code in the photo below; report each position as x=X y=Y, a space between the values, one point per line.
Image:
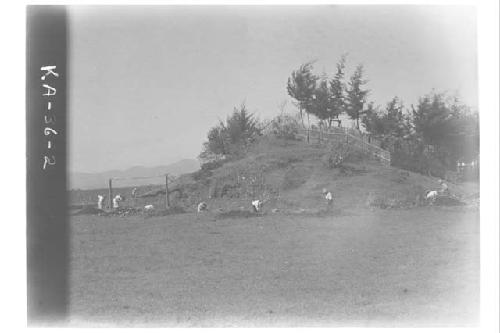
x=46 y=147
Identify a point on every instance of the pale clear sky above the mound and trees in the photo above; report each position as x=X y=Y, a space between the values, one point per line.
x=147 y=83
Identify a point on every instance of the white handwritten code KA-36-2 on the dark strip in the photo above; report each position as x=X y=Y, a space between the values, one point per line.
x=48 y=80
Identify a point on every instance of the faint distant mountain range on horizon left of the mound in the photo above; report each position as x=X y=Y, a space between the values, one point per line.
x=84 y=181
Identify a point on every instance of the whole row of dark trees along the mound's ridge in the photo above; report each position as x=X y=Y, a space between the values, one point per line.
x=428 y=138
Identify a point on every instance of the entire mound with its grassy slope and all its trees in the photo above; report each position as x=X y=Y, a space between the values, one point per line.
x=245 y=159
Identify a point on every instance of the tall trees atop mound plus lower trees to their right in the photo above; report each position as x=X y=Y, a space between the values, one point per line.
x=430 y=138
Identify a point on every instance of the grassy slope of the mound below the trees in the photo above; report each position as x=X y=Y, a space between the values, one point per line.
x=290 y=175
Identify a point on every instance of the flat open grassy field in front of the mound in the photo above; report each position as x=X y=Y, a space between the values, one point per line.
x=414 y=267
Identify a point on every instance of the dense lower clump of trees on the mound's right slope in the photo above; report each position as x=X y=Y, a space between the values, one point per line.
x=431 y=137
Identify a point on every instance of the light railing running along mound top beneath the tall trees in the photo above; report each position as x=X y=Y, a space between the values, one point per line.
x=351 y=136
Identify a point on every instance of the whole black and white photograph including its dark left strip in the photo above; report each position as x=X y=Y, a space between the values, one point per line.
x=254 y=166
